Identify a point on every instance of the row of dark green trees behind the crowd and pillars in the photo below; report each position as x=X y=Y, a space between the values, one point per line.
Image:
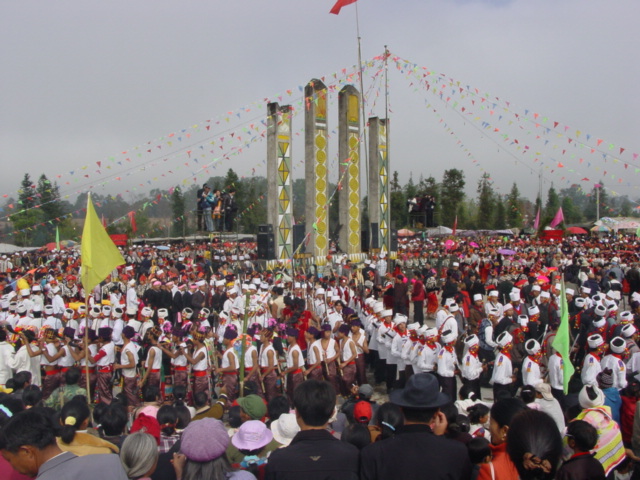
x=39 y=208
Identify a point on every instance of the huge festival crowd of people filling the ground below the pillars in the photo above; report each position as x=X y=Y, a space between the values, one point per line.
x=192 y=361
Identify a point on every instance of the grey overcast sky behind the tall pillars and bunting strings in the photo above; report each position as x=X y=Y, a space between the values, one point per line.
x=84 y=81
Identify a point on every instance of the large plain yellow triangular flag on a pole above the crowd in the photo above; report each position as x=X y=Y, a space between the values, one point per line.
x=99 y=255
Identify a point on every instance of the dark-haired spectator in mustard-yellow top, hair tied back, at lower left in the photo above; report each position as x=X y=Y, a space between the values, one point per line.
x=74 y=419
